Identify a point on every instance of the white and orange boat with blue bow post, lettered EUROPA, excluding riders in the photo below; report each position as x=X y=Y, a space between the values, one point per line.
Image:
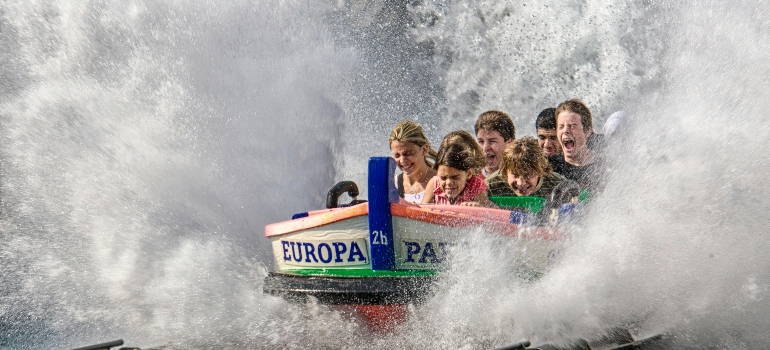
x=387 y=251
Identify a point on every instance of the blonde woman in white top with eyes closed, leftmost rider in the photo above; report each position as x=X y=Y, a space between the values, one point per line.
x=415 y=157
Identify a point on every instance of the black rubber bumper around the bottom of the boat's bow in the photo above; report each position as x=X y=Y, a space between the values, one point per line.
x=337 y=290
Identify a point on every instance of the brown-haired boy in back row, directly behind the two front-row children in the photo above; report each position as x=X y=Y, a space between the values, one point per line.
x=494 y=130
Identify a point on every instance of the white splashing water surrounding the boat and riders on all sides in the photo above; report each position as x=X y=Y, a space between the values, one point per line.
x=144 y=145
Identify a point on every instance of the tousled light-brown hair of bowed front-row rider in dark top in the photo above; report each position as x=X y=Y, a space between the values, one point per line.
x=524 y=158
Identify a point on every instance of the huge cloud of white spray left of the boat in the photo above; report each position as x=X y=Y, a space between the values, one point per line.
x=144 y=147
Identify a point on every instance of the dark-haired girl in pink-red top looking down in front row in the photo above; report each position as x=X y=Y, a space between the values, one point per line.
x=455 y=182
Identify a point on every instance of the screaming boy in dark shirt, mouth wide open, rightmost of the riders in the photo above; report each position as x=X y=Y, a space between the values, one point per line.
x=574 y=126
